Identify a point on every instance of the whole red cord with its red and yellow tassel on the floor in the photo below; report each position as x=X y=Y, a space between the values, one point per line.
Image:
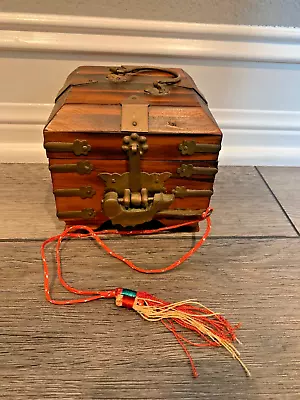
x=212 y=328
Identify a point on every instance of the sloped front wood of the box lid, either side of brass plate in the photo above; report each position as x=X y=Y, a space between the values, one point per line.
x=107 y=118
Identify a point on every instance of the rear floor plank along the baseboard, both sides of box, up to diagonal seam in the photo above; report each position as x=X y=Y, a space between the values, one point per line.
x=244 y=206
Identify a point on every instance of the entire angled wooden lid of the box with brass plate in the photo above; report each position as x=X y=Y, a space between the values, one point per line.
x=94 y=99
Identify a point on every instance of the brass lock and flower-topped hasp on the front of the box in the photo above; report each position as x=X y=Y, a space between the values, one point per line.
x=134 y=197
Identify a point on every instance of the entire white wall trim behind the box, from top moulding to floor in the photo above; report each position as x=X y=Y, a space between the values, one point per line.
x=250 y=75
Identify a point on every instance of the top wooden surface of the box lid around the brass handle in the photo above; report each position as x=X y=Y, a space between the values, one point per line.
x=101 y=90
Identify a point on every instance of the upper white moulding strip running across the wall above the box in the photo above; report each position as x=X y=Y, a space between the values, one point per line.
x=73 y=34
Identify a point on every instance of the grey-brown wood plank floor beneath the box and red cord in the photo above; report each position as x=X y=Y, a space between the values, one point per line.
x=249 y=270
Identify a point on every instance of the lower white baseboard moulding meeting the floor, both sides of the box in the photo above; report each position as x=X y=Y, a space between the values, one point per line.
x=251 y=137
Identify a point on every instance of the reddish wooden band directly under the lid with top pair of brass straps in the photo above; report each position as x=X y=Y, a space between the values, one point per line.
x=109 y=146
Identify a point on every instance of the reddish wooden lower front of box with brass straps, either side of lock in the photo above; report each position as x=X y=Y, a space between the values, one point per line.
x=76 y=192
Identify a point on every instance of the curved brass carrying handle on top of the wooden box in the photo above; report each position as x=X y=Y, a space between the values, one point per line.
x=159 y=87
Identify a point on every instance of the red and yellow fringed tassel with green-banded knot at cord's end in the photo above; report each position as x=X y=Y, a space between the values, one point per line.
x=212 y=328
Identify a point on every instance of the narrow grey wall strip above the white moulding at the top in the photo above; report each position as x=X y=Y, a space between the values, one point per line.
x=242 y=12
